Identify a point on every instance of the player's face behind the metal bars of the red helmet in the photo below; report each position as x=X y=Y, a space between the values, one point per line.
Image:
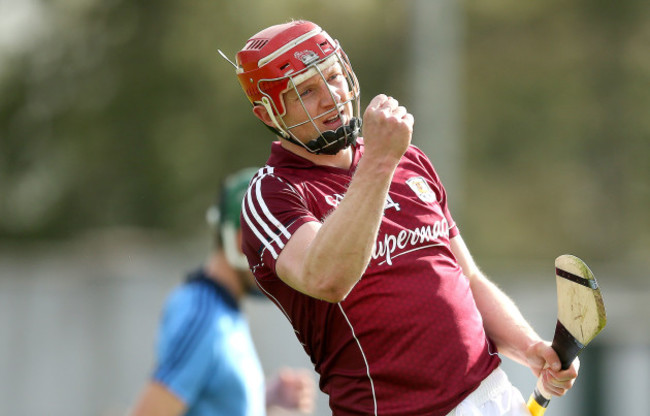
x=320 y=96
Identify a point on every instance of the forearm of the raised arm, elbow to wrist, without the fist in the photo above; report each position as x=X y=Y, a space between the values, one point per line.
x=341 y=250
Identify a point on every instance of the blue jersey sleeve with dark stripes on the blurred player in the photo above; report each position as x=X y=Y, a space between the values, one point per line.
x=185 y=341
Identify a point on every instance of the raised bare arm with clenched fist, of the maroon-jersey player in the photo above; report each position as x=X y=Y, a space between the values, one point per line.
x=326 y=260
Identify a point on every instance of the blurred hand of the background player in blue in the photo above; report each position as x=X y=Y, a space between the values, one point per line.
x=292 y=389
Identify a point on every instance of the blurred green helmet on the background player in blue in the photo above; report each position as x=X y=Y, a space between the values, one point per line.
x=223 y=216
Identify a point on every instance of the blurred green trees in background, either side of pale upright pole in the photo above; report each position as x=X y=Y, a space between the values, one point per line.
x=121 y=113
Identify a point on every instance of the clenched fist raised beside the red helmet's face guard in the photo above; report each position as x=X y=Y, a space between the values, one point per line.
x=387 y=128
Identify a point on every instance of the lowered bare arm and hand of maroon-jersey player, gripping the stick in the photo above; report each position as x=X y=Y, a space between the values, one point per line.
x=506 y=326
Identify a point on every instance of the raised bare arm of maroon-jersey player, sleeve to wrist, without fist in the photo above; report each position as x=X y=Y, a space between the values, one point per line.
x=326 y=260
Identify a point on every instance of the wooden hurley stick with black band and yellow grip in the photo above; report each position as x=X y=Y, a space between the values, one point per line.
x=580 y=317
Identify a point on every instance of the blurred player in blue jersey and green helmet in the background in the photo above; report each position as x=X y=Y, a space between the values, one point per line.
x=206 y=362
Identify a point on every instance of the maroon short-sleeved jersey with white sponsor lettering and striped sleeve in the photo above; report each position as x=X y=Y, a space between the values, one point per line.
x=408 y=339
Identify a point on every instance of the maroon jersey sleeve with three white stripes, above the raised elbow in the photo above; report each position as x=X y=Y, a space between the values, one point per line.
x=272 y=211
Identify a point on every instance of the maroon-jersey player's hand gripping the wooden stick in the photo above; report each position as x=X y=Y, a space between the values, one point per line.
x=544 y=361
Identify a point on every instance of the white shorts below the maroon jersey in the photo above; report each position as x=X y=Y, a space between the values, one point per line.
x=495 y=396
